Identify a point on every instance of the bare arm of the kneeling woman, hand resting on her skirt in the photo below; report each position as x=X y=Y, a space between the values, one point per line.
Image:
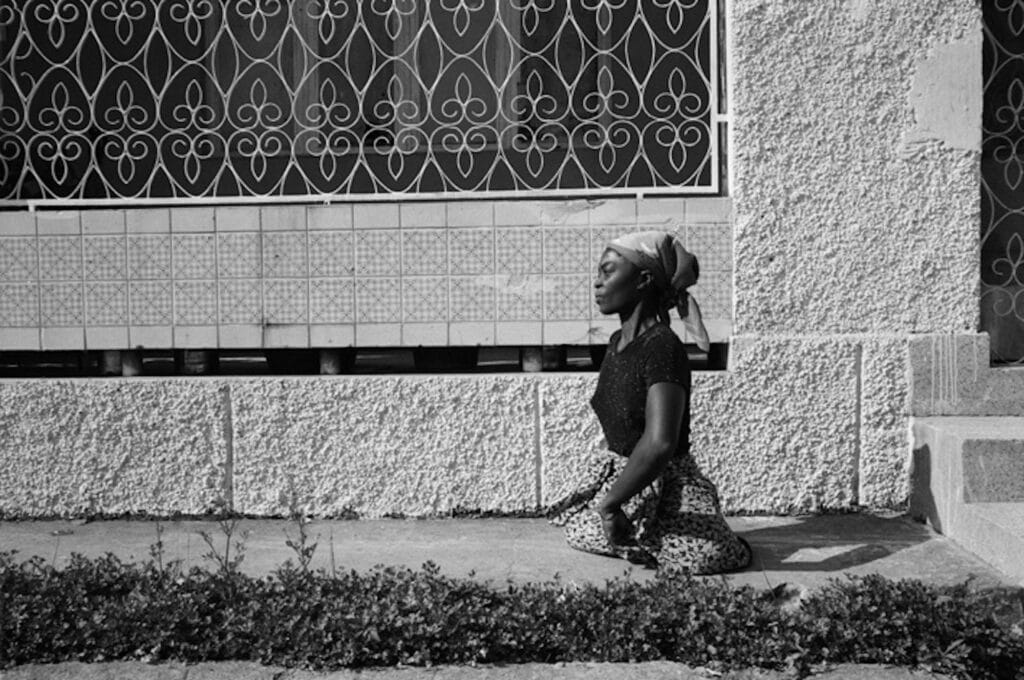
x=664 y=417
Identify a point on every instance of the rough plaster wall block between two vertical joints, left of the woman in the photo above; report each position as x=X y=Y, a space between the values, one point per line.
x=379 y=446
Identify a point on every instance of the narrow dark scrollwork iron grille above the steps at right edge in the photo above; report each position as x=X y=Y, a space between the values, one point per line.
x=1003 y=181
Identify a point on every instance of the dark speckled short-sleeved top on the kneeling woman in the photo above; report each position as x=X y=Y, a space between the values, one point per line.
x=620 y=401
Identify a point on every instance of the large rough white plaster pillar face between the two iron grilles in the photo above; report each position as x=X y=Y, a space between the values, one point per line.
x=841 y=226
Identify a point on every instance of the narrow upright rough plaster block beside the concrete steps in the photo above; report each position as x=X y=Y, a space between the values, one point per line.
x=885 y=449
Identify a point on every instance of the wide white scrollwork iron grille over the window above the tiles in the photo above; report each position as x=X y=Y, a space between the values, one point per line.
x=187 y=99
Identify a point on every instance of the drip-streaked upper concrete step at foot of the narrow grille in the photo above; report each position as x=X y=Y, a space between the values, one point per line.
x=951 y=376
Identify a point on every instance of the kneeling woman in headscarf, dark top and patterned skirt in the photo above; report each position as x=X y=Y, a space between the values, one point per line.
x=650 y=503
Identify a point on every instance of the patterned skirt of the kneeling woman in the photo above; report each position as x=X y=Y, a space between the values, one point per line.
x=678 y=521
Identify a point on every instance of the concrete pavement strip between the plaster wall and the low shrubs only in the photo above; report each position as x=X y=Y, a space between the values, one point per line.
x=804 y=552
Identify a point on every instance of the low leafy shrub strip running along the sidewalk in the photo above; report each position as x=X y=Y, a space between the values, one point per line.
x=105 y=610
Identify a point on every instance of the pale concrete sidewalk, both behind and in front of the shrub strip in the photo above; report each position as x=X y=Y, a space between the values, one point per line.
x=803 y=552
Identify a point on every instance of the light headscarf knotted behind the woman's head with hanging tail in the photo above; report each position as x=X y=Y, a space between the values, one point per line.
x=674 y=270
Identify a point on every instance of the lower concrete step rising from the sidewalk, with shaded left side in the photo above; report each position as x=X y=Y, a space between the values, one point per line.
x=968 y=482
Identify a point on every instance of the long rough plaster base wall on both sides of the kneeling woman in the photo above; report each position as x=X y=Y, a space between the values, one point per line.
x=423 y=445
